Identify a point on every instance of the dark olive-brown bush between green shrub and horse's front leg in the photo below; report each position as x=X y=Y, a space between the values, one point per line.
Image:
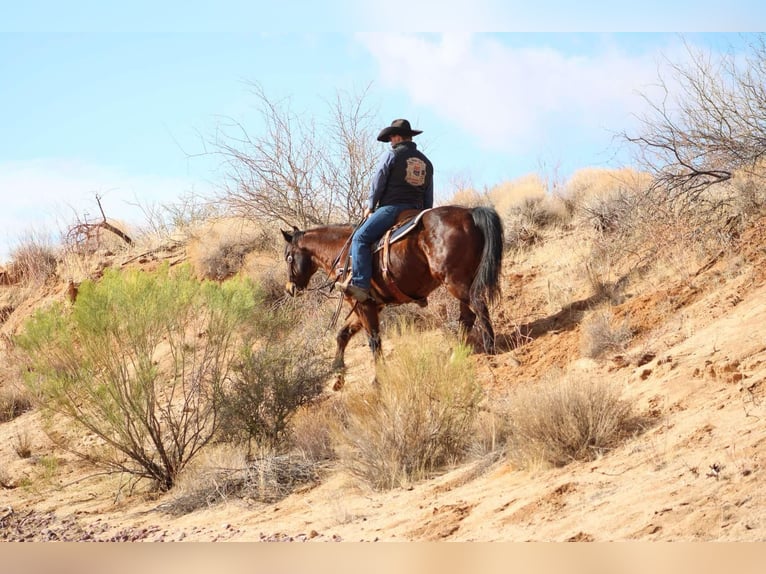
x=268 y=386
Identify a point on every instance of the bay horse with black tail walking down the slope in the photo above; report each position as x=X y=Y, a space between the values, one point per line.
x=459 y=247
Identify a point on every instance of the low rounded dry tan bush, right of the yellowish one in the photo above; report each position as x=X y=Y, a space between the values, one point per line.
x=556 y=422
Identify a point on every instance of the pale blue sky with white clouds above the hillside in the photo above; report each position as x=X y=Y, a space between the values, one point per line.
x=122 y=99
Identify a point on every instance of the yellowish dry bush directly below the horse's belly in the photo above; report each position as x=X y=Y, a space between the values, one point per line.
x=418 y=419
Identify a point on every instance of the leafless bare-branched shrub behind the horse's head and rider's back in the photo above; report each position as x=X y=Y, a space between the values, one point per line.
x=294 y=172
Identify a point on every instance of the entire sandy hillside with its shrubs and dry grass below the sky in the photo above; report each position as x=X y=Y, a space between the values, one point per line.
x=625 y=402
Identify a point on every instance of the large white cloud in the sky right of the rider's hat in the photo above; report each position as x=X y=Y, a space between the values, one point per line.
x=510 y=98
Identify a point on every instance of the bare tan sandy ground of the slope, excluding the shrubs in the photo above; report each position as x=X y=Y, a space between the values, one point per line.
x=695 y=370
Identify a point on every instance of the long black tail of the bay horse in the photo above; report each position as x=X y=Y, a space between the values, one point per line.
x=487 y=280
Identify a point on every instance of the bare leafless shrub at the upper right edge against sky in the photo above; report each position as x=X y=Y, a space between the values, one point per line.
x=706 y=122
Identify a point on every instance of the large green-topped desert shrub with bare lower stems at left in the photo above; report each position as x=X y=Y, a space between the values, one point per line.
x=140 y=361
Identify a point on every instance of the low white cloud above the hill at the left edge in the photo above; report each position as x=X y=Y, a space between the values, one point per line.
x=46 y=195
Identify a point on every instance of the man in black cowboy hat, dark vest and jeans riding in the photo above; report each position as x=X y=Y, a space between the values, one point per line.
x=403 y=180
